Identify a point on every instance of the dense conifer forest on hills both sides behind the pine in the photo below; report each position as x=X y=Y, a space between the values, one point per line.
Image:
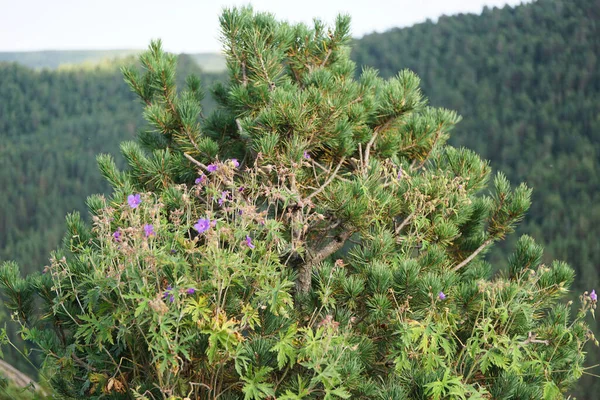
x=526 y=81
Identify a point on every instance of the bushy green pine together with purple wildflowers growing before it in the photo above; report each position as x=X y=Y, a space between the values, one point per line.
x=314 y=238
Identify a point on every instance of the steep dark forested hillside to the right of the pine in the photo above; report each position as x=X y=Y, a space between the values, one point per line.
x=526 y=80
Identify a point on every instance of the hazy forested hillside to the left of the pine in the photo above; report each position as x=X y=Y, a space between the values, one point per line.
x=53 y=124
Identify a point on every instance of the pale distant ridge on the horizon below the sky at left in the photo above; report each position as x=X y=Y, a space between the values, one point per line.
x=52 y=59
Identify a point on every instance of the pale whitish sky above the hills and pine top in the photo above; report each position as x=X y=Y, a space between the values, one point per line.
x=192 y=26
